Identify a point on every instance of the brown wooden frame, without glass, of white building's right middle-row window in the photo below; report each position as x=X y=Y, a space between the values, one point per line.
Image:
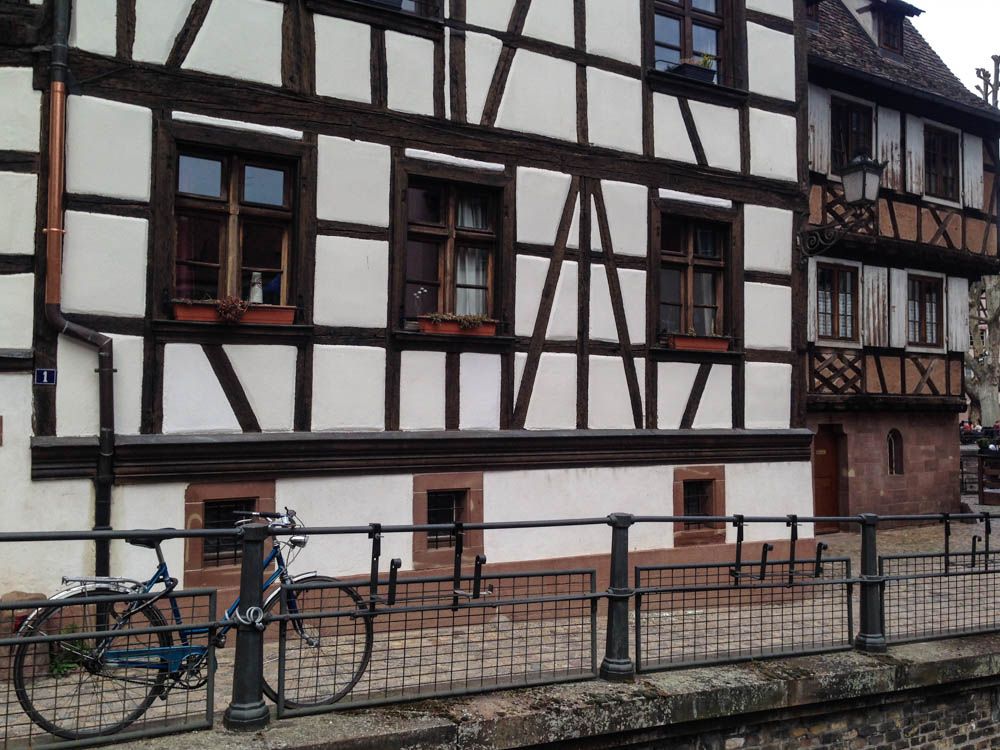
x=689 y=264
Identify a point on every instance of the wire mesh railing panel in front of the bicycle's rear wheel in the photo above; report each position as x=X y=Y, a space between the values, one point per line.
x=93 y=668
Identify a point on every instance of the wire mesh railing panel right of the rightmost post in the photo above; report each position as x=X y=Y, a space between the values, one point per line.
x=938 y=595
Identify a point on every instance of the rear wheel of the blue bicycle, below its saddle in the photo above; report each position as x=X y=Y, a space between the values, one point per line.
x=67 y=696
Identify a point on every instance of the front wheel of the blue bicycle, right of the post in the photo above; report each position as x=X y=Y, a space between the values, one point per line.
x=322 y=673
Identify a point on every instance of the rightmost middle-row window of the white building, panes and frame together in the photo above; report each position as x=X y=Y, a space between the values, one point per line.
x=692 y=277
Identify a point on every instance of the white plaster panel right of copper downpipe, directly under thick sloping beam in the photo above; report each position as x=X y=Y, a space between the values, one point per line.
x=109 y=147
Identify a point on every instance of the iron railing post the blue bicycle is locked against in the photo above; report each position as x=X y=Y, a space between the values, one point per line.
x=247 y=711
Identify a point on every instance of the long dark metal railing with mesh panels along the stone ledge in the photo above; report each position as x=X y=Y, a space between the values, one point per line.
x=394 y=635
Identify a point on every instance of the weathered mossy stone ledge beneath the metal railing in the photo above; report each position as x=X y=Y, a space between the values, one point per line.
x=659 y=703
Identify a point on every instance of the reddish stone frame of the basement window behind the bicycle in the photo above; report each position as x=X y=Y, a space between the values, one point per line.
x=196 y=497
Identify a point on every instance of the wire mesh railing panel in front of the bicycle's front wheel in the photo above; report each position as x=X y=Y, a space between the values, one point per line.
x=525 y=629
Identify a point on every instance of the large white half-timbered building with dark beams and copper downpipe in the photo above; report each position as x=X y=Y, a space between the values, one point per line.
x=397 y=260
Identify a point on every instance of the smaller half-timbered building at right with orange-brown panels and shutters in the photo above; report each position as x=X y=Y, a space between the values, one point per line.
x=888 y=304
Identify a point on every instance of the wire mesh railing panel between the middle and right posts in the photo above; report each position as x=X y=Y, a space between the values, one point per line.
x=710 y=613
